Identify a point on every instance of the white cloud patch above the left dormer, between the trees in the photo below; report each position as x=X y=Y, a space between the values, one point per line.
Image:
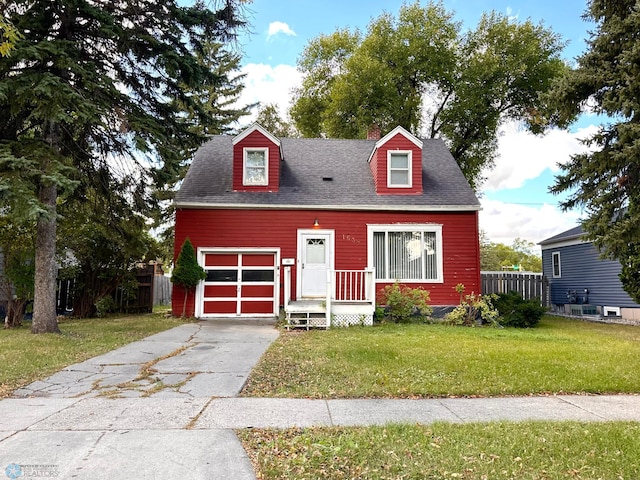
x=269 y=84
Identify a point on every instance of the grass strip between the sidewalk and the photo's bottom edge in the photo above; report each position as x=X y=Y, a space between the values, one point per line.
x=505 y=450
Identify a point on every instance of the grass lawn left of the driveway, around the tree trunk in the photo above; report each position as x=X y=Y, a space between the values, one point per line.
x=25 y=357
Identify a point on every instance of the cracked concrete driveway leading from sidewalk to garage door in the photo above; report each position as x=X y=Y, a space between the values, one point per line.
x=188 y=361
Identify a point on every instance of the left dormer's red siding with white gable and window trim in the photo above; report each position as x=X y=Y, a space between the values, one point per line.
x=256 y=139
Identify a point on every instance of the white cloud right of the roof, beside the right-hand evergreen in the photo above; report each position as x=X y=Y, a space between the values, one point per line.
x=524 y=156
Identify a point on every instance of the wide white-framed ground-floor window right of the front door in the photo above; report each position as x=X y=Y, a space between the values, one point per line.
x=406 y=252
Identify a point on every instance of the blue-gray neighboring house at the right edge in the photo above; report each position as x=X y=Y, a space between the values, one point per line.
x=583 y=284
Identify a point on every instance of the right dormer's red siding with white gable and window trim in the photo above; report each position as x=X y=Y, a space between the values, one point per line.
x=401 y=142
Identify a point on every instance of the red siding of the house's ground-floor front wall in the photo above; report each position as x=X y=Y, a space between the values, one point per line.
x=278 y=228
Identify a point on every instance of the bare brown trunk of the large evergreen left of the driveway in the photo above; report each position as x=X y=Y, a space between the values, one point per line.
x=44 y=300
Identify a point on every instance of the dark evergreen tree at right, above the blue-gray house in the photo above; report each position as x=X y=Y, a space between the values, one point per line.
x=605 y=182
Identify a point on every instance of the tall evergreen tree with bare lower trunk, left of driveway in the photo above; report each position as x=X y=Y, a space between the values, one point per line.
x=94 y=87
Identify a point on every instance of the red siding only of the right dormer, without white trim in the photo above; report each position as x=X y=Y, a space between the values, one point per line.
x=379 y=166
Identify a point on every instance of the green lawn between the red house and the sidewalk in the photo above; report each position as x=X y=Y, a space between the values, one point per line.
x=417 y=360
